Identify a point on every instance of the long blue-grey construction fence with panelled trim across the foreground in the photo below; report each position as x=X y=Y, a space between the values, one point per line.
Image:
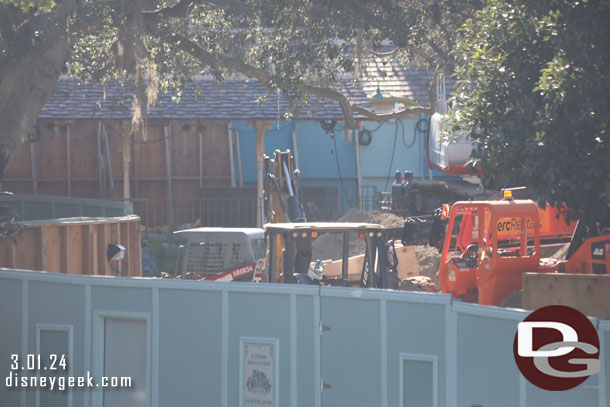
x=332 y=346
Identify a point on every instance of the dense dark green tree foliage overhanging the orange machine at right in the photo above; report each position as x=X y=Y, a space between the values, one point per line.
x=534 y=84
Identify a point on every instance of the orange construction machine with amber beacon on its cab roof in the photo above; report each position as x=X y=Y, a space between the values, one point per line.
x=489 y=245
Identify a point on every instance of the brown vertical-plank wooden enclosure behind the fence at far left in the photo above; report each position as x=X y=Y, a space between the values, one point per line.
x=76 y=246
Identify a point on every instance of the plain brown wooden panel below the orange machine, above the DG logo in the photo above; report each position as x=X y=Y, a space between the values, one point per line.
x=588 y=293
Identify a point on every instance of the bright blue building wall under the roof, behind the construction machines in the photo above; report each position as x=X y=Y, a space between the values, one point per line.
x=395 y=145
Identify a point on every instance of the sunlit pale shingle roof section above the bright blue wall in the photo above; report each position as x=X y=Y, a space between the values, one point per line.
x=398 y=80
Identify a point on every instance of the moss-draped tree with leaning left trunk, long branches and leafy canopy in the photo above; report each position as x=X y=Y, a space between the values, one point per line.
x=300 y=46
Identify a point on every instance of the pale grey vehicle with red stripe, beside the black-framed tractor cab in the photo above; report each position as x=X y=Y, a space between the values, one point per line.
x=221 y=254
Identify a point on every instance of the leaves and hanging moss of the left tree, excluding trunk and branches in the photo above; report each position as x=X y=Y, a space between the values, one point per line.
x=296 y=42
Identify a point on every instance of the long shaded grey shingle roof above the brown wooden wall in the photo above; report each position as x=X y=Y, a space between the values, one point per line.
x=233 y=99
